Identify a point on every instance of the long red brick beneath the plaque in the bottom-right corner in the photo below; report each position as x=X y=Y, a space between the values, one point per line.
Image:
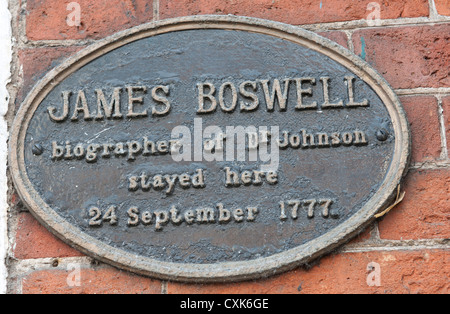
x=401 y=272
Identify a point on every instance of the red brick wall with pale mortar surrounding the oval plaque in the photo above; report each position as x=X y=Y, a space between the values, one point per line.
x=410 y=47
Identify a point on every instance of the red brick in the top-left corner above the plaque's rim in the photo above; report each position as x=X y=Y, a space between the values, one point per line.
x=47 y=19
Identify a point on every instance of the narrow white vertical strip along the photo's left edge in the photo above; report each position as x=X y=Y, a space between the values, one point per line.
x=5 y=75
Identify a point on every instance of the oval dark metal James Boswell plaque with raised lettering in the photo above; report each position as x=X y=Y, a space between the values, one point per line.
x=210 y=148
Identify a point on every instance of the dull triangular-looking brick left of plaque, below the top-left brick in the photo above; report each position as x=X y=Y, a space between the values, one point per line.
x=38 y=61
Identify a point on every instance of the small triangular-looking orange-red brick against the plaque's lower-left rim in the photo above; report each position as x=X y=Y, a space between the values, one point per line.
x=34 y=241
